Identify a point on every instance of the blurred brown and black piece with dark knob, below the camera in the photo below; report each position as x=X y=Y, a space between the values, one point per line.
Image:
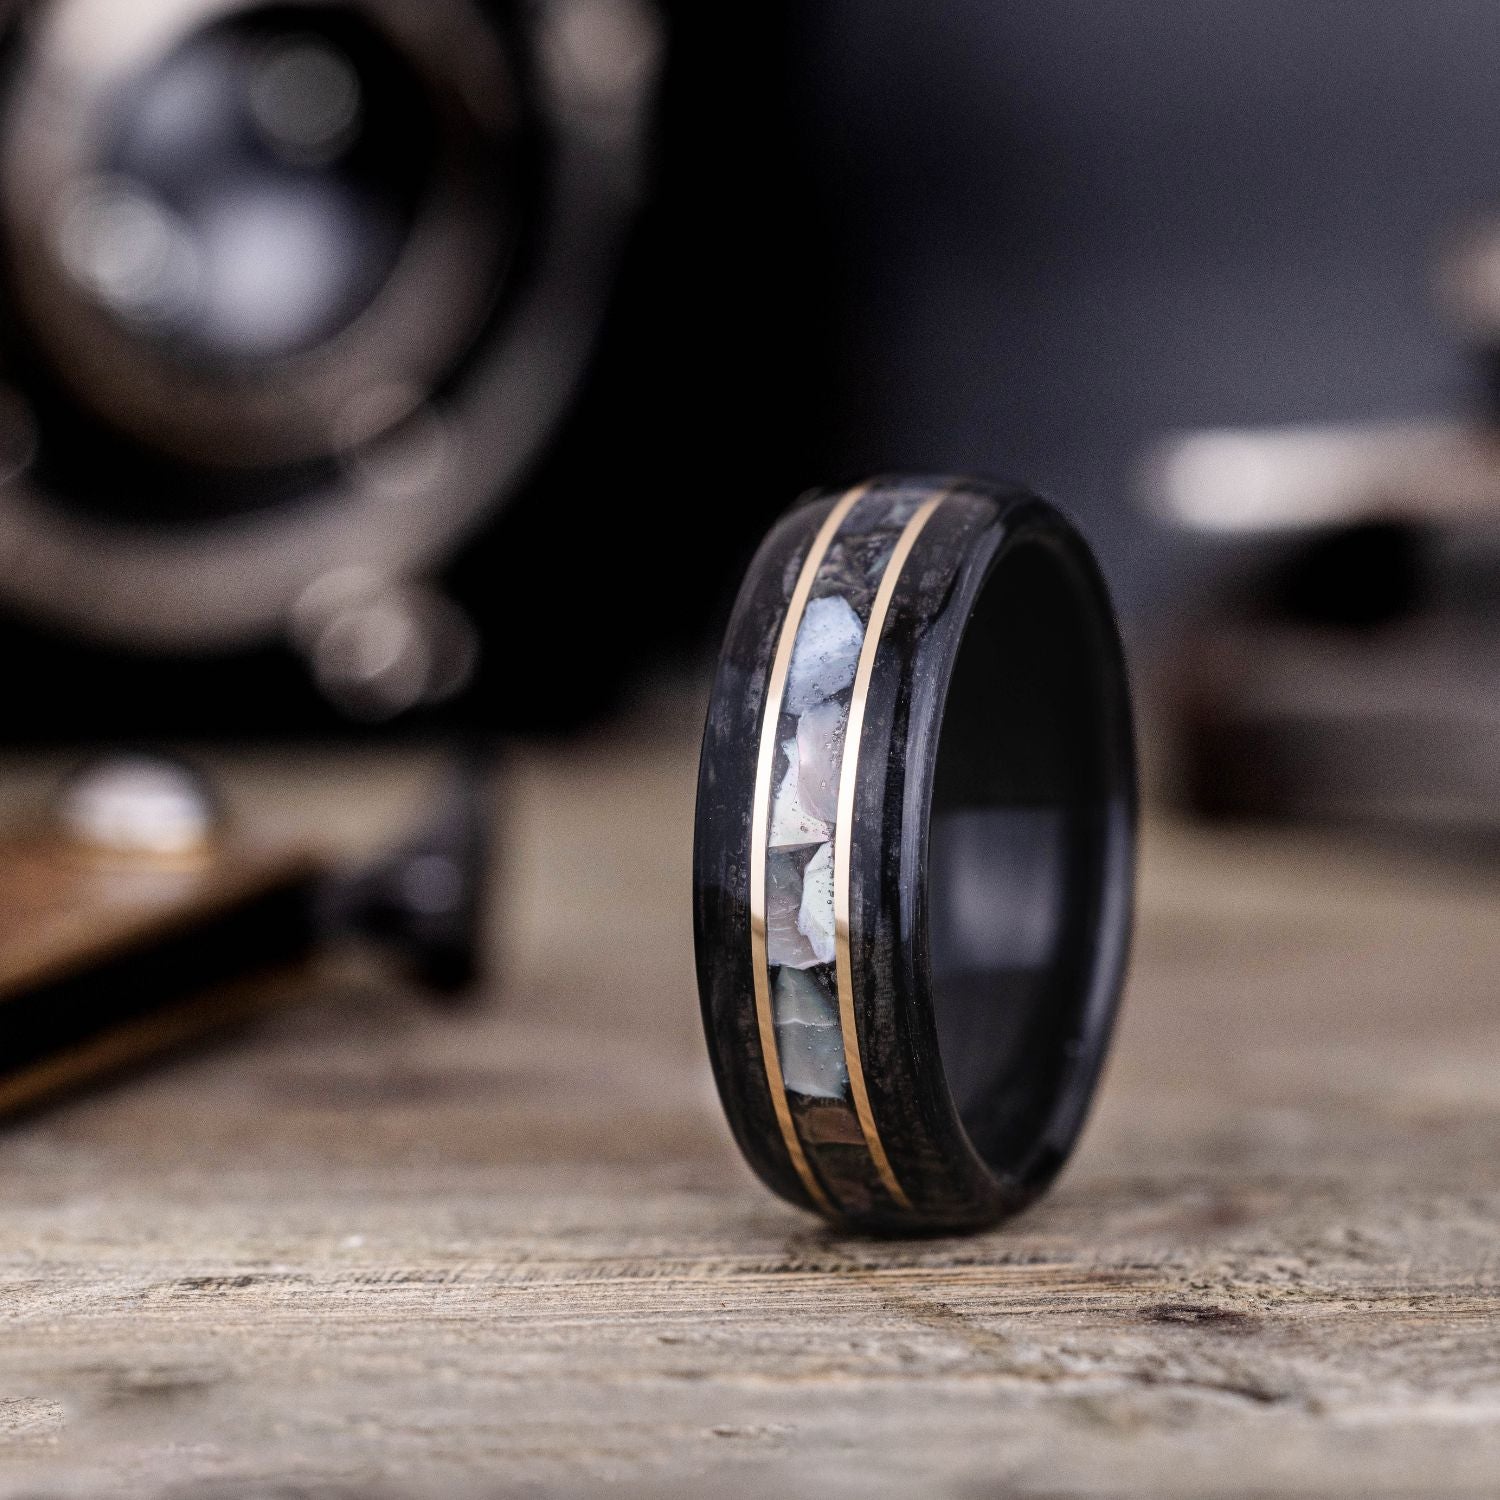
x=136 y=916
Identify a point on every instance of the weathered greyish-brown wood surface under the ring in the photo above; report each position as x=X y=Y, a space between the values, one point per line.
x=373 y=1252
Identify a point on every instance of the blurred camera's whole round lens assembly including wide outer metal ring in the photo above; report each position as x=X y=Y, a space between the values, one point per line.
x=298 y=289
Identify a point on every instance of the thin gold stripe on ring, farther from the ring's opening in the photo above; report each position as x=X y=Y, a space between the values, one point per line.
x=761 y=838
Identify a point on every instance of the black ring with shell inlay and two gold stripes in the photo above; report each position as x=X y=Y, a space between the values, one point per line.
x=914 y=857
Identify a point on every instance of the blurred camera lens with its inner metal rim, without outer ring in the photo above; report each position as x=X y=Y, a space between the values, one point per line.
x=232 y=224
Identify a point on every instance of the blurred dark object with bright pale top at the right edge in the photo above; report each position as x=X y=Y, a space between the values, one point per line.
x=1346 y=665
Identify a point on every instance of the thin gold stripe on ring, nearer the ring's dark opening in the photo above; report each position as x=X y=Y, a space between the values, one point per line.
x=844 y=842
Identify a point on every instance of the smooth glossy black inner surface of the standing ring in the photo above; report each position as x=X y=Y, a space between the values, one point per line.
x=1016 y=856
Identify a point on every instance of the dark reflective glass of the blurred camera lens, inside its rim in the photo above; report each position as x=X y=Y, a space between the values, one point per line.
x=256 y=188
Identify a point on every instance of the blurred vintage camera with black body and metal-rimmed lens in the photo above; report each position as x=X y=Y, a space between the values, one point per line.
x=383 y=338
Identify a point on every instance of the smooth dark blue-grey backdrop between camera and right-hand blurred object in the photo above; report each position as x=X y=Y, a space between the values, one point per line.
x=1067 y=226
